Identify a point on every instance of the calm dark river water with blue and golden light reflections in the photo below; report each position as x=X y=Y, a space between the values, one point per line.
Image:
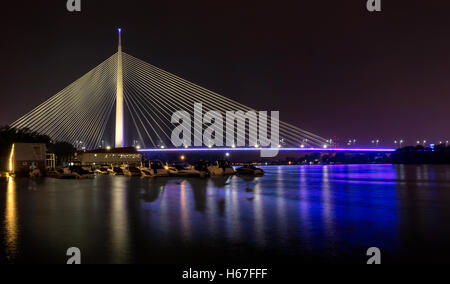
x=292 y=214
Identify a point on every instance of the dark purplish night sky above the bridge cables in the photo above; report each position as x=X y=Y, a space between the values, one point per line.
x=328 y=66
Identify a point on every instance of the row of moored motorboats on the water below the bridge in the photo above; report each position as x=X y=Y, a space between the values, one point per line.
x=159 y=169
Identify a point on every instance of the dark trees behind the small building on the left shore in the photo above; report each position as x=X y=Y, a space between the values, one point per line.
x=10 y=135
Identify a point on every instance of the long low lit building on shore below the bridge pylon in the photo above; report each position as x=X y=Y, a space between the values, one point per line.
x=105 y=157
